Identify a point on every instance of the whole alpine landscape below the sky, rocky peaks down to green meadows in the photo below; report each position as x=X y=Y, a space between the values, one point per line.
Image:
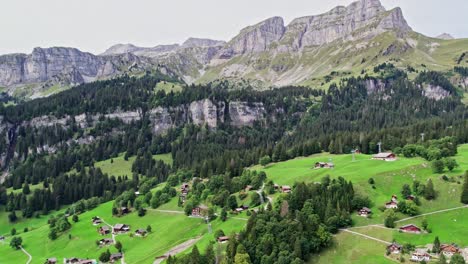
x=337 y=138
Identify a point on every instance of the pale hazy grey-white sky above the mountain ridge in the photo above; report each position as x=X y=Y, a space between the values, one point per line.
x=94 y=25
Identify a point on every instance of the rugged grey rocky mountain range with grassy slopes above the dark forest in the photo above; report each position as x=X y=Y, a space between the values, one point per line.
x=347 y=40
